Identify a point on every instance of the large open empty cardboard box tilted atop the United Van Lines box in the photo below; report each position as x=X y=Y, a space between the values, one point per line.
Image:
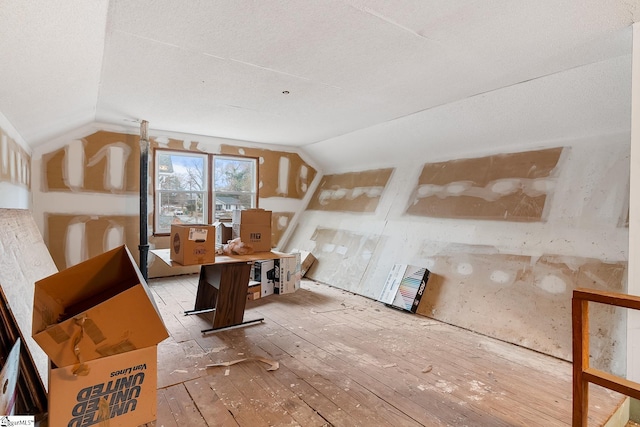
x=95 y=309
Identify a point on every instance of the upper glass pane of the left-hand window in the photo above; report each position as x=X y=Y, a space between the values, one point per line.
x=181 y=172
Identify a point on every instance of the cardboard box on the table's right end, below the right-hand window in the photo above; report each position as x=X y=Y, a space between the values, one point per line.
x=253 y=226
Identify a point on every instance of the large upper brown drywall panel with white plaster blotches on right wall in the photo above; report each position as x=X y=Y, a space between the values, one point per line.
x=511 y=187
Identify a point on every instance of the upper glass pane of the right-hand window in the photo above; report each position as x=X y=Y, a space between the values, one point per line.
x=234 y=174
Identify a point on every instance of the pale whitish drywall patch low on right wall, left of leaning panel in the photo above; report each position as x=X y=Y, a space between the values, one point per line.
x=342 y=256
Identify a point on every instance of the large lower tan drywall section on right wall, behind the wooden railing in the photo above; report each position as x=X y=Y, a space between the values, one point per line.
x=524 y=300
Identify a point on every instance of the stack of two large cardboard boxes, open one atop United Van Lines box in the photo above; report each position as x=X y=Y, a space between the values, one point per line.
x=99 y=325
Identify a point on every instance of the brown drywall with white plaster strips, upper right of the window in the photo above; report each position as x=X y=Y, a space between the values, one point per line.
x=281 y=174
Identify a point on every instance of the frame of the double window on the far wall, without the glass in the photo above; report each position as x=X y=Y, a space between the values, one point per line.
x=209 y=205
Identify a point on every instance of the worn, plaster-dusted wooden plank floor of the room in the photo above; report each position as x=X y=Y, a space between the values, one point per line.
x=345 y=360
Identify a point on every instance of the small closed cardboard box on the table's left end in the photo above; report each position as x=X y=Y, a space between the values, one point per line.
x=193 y=244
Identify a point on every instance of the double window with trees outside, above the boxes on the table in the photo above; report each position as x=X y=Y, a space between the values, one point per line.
x=186 y=192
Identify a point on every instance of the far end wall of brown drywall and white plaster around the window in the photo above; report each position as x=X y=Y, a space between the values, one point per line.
x=88 y=198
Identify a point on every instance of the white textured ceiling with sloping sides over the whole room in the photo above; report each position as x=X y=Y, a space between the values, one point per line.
x=293 y=72
